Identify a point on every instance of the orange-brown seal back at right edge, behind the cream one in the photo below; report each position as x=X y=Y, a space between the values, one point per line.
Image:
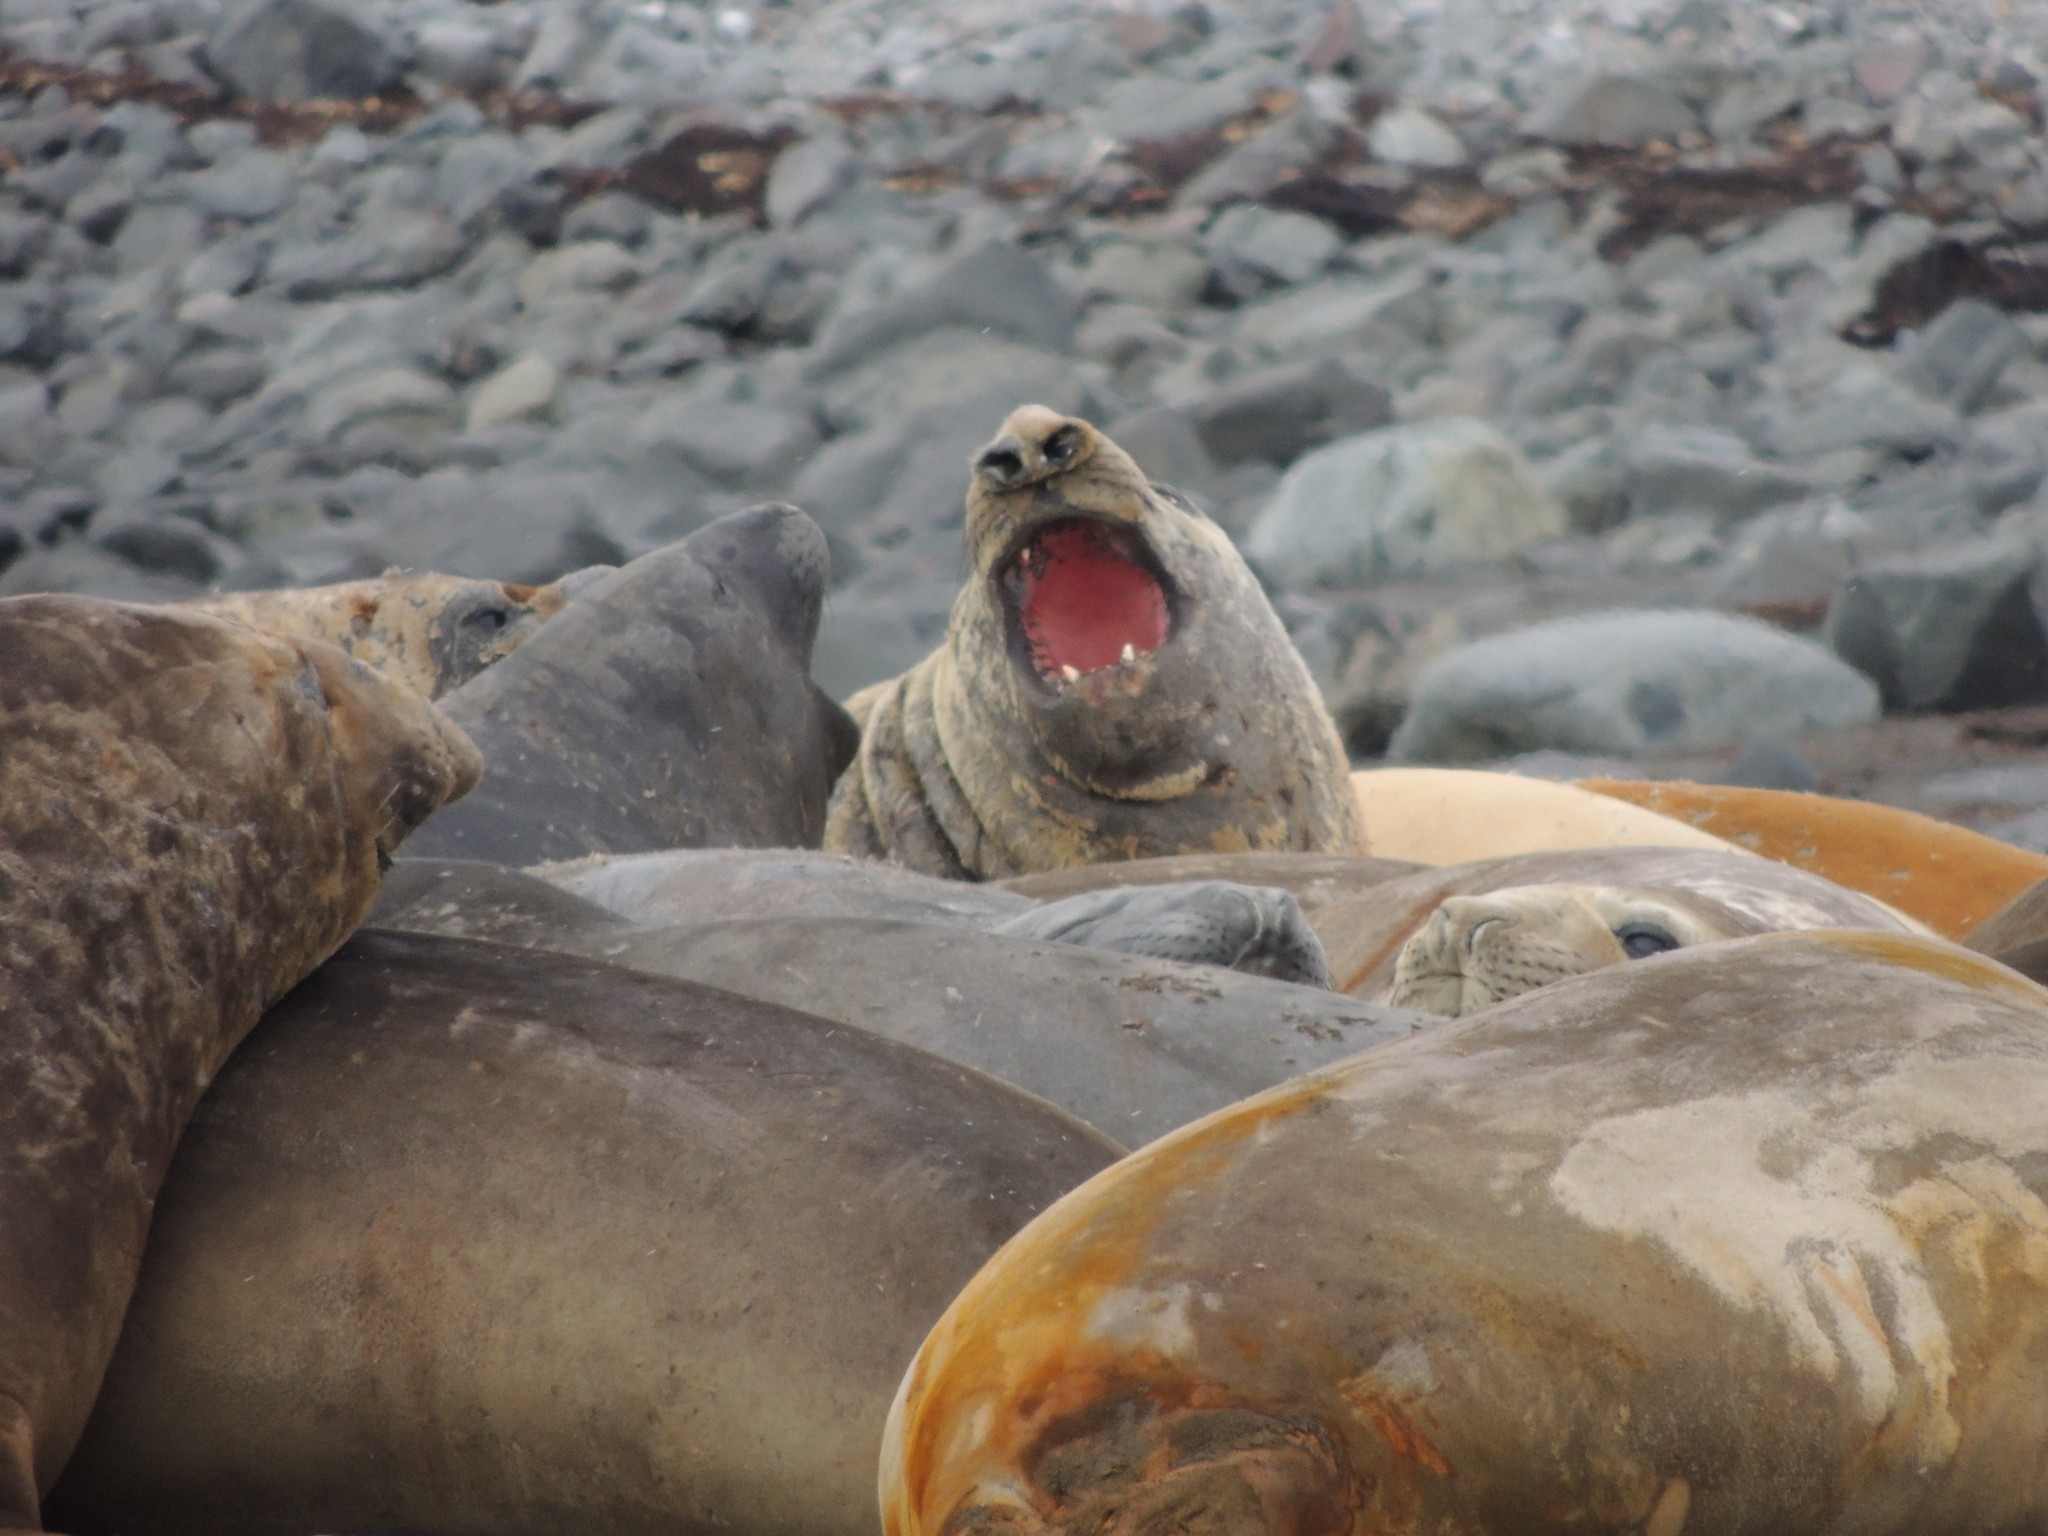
x=1940 y=873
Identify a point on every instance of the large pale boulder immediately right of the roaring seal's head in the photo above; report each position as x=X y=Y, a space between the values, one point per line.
x=1400 y=503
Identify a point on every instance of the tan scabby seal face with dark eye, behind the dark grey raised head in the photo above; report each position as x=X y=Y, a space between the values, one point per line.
x=429 y=632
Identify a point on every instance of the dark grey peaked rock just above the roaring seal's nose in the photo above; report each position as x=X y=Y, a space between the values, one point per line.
x=992 y=290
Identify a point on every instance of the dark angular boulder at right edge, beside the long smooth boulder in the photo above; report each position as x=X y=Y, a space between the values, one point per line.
x=1951 y=628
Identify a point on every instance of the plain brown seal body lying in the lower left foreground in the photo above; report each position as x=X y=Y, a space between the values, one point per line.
x=484 y=1240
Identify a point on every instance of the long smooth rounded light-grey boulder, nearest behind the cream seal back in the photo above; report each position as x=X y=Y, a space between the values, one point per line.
x=1629 y=683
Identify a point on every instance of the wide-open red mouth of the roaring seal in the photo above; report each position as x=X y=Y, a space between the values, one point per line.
x=1082 y=595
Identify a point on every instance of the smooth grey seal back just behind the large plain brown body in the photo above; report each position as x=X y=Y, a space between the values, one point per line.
x=1129 y=1046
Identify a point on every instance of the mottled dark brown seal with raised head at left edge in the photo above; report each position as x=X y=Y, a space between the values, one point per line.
x=191 y=818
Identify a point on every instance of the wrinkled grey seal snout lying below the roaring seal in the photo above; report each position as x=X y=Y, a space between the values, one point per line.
x=1252 y=929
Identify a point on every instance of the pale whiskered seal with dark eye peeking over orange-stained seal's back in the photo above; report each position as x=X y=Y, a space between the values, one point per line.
x=1498 y=927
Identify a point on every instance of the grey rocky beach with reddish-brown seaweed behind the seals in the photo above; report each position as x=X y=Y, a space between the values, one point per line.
x=1654 y=386
